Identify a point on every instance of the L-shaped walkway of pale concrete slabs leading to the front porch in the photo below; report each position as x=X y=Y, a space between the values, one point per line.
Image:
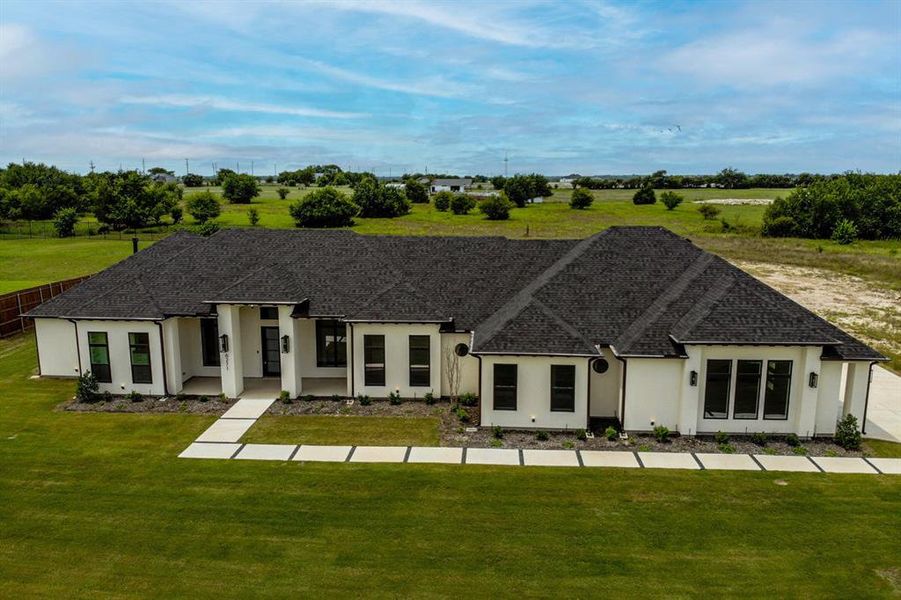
x=220 y=441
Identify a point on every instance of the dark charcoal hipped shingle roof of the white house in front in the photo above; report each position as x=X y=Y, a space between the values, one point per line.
x=642 y=290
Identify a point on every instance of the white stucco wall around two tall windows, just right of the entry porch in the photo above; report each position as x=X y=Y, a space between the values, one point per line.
x=397 y=359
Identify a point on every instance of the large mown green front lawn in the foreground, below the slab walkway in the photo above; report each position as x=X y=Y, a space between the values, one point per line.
x=98 y=505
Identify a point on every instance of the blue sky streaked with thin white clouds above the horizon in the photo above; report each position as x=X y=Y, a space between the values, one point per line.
x=577 y=86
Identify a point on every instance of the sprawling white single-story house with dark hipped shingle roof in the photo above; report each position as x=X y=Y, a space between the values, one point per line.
x=635 y=324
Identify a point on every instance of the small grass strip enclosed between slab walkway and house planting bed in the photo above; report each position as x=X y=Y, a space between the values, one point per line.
x=344 y=430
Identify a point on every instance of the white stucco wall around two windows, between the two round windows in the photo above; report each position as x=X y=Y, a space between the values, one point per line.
x=533 y=401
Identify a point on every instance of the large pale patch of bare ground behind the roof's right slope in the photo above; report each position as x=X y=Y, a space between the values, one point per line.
x=864 y=309
